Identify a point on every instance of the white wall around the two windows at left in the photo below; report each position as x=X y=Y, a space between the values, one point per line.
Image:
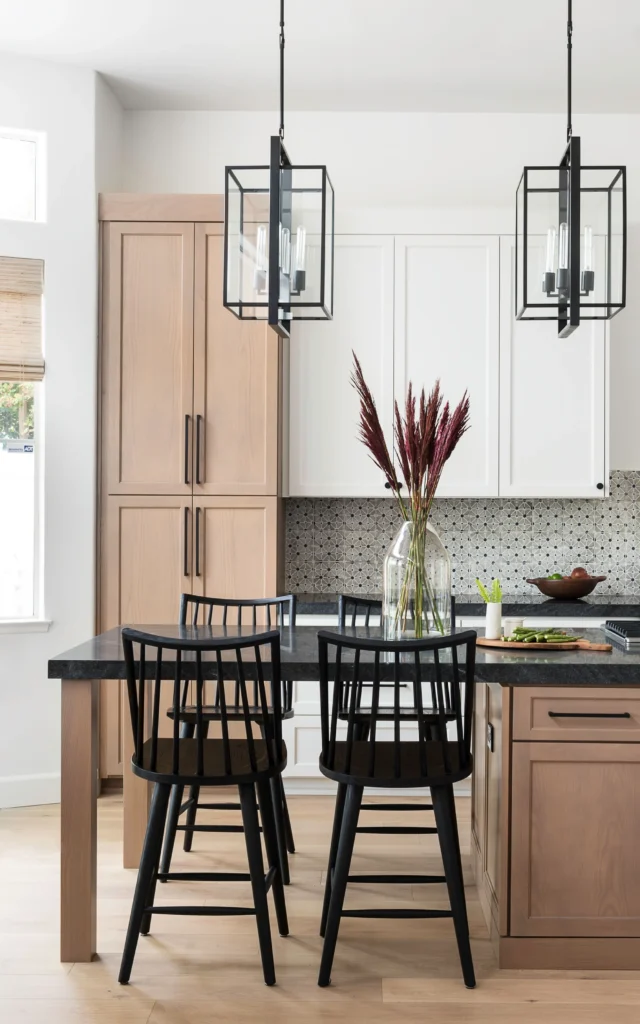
x=61 y=102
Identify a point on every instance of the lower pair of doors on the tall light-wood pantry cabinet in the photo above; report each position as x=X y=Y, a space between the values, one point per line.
x=153 y=549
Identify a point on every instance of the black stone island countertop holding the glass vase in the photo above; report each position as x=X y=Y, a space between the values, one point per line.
x=102 y=658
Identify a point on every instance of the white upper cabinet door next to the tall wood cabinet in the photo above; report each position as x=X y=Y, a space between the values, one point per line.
x=326 y=459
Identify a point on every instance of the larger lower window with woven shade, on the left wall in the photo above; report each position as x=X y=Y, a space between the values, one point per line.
x=22 y=370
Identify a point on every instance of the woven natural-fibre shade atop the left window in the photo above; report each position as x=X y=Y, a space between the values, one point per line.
x=21 y=320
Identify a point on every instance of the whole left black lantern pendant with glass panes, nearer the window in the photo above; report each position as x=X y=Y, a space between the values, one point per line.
x=279 y=235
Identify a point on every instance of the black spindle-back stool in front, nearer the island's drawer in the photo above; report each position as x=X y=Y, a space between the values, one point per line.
x=397 y=753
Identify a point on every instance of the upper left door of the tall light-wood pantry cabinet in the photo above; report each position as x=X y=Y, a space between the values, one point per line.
x=148 y=377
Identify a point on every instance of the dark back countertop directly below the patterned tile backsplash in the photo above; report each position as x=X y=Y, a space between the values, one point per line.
x=594 y=607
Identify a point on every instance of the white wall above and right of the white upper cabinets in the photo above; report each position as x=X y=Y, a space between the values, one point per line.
x=409 y=173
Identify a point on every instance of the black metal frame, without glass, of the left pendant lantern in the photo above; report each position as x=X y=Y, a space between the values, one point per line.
x=282 y=303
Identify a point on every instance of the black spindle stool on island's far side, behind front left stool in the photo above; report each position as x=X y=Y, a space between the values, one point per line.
x=202 y=611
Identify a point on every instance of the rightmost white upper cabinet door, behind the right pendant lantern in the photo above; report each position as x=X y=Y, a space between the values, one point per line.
x=552 y=408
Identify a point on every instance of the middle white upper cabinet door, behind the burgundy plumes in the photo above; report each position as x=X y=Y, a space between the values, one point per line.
x=448 y=327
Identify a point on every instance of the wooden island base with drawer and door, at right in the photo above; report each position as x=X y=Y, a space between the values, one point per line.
x=557 y=825
